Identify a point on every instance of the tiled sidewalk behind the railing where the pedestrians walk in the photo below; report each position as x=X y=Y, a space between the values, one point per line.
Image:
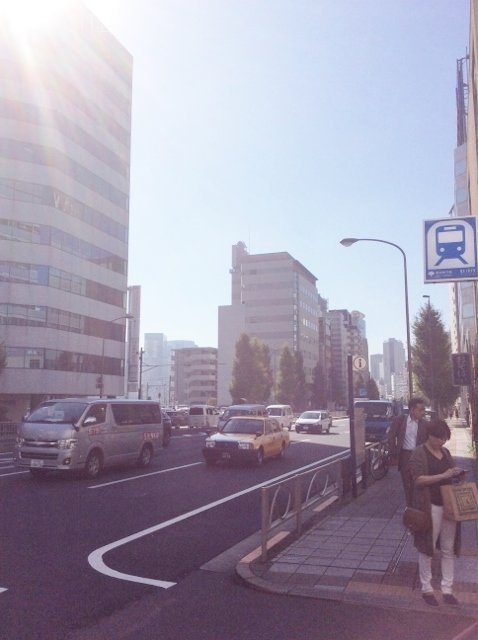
x=361 y=552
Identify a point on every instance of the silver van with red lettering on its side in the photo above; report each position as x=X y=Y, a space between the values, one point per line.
x=78 y=433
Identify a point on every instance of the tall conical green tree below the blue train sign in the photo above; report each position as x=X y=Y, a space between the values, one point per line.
x=431 y=357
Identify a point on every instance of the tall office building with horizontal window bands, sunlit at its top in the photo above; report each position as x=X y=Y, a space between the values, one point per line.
x=65 y=122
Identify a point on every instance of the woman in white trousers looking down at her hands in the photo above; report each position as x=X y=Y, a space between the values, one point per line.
x=431 y=466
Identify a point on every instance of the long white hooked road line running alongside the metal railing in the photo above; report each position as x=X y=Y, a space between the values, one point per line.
x=95 y=558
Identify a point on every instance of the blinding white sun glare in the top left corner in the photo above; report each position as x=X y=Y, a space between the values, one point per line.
x=28 y=15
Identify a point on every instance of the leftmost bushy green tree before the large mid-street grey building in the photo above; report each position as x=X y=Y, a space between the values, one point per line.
x=251 y=372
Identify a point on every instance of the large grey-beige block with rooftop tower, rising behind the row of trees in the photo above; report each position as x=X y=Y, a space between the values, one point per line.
x=273 y=298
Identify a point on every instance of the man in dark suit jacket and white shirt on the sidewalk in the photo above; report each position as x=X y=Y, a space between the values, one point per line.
x=406 y=433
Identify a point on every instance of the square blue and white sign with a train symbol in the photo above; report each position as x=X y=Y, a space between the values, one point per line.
x=450 y=250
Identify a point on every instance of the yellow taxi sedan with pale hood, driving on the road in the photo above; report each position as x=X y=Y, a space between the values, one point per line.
x=247 y=438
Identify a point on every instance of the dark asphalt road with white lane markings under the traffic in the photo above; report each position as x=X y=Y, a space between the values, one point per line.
x=82 y=559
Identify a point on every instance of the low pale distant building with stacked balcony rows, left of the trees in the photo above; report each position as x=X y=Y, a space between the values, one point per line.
x=195 y=375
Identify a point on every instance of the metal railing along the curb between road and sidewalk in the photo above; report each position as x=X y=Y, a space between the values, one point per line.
x=285 y=500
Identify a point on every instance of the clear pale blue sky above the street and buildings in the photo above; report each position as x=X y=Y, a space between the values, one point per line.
x=289 y=125
